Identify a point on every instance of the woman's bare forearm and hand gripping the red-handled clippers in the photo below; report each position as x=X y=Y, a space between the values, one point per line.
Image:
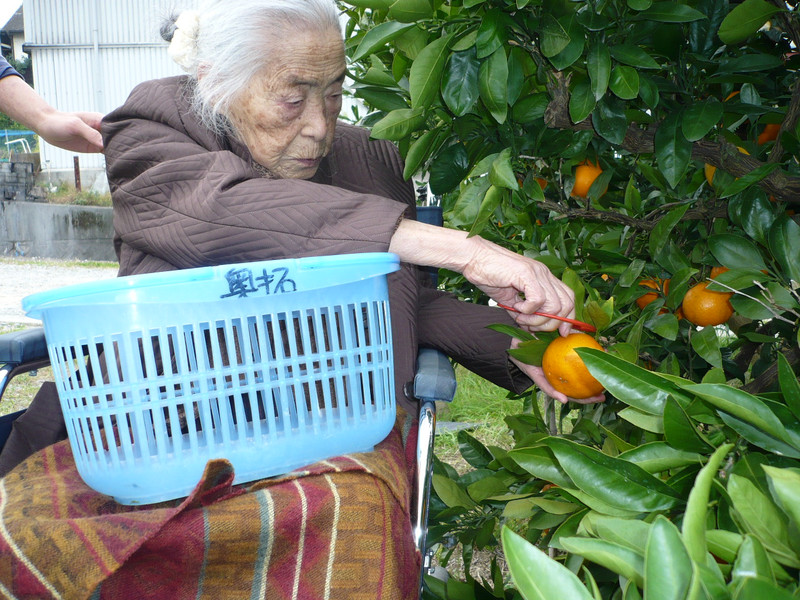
x=508 y=278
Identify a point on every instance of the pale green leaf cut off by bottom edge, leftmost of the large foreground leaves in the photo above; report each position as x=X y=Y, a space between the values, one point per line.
x=537 y=576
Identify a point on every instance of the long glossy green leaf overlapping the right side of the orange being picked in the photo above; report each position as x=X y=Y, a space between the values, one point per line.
x=633 y=385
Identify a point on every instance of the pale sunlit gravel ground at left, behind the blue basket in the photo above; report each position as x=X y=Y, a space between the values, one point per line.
x=20 y=277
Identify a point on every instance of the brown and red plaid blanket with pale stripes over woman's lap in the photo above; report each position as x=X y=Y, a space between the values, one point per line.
x=339 y=529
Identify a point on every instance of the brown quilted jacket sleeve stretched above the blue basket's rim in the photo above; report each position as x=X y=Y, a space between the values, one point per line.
x=181 y=195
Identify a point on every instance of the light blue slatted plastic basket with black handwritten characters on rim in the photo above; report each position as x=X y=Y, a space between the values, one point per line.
x=272 y=365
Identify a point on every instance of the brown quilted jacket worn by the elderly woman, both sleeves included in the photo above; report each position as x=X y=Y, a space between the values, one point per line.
x=184 y=198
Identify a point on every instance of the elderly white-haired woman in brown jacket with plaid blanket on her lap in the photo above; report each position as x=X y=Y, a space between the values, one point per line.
x=243 y=159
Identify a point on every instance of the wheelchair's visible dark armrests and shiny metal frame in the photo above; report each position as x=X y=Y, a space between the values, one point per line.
x=26 y=351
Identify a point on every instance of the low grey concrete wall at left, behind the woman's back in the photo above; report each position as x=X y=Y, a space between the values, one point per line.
x=56 y=231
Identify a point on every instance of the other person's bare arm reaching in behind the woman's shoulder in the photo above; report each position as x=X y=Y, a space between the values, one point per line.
x=78 y=132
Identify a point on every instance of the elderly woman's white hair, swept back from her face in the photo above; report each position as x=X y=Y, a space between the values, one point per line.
x=233 y=39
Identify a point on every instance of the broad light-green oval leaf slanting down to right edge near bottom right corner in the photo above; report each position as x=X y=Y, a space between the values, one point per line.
x=760 y=517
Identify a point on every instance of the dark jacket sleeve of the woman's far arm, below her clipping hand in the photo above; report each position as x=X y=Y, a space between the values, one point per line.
x=460 y=330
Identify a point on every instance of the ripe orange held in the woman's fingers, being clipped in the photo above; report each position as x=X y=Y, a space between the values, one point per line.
x=565 y=370
